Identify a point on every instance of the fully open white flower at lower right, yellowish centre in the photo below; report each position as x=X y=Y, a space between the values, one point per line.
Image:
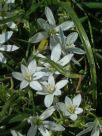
x=71 y=107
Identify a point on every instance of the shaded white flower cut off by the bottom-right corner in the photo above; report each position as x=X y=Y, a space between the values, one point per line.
x=95 y=127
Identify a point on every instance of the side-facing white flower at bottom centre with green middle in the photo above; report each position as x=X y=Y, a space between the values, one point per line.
x=43 y=125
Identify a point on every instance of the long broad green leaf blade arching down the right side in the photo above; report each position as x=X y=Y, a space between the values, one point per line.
x=87 y=47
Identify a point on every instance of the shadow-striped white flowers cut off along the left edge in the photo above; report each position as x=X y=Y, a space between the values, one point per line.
x=6 y=35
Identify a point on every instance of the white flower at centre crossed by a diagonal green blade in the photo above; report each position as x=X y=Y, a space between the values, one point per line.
x=56 y=57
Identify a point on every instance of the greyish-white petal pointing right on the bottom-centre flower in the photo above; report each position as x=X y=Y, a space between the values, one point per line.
x=53 y=126
